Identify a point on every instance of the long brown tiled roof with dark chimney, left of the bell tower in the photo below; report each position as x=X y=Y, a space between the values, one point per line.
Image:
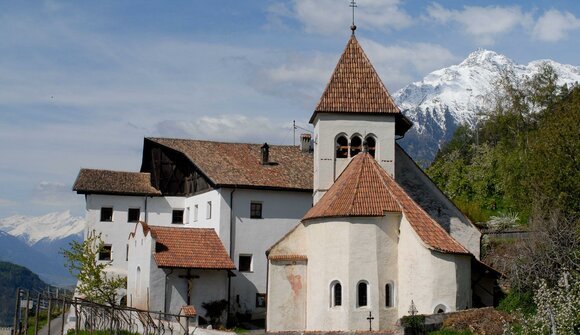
x=240 y=165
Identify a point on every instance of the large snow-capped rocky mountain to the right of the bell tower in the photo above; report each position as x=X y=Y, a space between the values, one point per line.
x=454 y=95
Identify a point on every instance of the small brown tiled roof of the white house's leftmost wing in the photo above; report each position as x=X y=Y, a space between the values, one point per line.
x=91 y=181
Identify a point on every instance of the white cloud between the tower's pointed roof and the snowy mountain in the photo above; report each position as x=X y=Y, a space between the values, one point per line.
x=399 y=65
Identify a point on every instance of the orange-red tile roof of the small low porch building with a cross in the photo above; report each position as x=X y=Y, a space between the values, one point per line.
x=194 y=248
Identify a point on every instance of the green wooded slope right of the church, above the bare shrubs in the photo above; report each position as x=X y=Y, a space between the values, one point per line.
x=523 y=156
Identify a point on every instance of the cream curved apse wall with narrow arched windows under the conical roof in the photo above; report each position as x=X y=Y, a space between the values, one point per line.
x=350 y=251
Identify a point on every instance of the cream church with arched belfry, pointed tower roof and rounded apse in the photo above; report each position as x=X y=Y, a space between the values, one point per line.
x=376 y=243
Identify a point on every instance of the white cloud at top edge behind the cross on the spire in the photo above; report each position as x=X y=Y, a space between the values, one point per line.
x=330 y=16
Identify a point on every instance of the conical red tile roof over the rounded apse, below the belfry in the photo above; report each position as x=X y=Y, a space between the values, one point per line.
x=365 y=189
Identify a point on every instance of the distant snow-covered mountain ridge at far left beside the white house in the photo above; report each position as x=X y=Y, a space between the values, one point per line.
x=49 y=227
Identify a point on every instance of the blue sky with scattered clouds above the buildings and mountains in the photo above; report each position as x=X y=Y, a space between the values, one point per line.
x=83 y=82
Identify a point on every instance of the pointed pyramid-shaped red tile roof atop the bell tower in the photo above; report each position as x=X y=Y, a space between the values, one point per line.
x=355 y=86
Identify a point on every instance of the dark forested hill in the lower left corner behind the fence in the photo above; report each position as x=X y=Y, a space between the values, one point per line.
x=13 y=276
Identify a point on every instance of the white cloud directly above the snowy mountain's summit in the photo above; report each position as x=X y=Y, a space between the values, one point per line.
x=485 y=24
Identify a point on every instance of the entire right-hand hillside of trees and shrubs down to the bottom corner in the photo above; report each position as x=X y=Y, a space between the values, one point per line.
x=520 y=168
